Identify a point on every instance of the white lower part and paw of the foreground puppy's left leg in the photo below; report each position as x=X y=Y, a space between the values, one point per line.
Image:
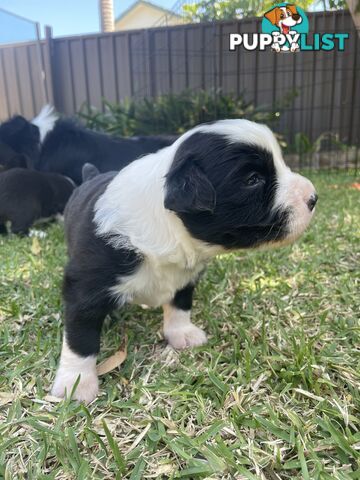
x=71 y=367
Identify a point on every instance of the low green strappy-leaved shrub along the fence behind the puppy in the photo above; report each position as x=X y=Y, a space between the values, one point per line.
x=173 y=114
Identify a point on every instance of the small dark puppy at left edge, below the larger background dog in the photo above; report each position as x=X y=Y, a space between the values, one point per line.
x=27 y=196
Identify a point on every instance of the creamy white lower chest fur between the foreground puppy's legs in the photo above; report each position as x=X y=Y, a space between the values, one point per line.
x=155 y=284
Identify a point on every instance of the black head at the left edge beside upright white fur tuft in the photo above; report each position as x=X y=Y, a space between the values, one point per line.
x=19 y=143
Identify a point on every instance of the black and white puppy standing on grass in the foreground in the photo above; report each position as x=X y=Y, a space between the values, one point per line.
x=144 y=235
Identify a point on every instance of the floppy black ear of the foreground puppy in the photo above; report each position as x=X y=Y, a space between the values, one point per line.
x=188 y=189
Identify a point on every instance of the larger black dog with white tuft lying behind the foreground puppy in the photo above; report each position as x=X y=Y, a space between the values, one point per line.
x=52 y=144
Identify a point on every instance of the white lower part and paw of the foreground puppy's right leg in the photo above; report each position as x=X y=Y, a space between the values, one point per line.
x=179 y=331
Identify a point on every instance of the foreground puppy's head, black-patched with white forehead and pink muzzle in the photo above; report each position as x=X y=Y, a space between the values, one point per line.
x=229 y=185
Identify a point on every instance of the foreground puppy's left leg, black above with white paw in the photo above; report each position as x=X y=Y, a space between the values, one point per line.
x=85 y=312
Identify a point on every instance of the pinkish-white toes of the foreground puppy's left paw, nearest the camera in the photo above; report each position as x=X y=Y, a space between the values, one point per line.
x=86 y=391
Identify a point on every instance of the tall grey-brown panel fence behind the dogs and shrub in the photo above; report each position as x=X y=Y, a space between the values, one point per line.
x=147 y=63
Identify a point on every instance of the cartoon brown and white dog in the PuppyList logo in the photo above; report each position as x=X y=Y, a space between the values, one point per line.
x=284 y=17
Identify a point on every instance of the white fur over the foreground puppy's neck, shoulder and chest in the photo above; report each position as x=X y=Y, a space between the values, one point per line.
x=131 y=213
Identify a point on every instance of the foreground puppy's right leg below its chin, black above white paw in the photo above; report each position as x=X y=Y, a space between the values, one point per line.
x=178 y=329
